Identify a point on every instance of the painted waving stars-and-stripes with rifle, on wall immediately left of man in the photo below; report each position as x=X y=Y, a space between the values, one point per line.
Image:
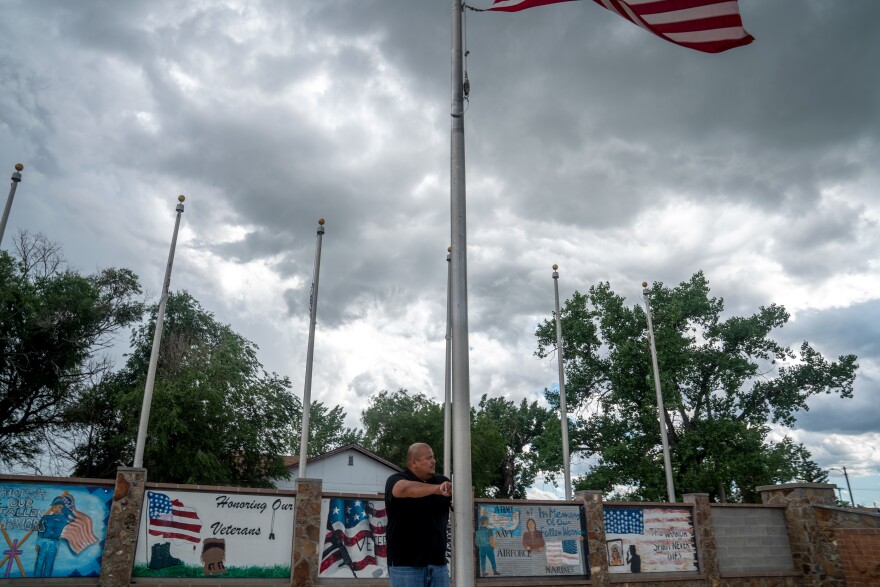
x=355 y=535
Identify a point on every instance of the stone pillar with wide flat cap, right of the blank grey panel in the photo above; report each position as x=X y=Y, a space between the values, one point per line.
x=813 y=548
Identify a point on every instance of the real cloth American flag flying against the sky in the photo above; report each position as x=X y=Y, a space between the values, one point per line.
x=710 y=26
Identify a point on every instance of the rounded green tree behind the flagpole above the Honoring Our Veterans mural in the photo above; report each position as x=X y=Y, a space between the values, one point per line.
x=217 y=417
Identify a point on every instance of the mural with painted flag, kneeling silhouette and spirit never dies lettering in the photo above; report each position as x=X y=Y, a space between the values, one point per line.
x=650 y=540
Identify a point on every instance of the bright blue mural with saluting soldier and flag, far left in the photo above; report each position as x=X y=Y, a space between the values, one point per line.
x=52 y=530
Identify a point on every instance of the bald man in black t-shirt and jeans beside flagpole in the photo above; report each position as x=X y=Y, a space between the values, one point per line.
x=417 y=501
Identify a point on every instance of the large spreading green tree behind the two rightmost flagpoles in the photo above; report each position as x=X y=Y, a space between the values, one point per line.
x=724 y=381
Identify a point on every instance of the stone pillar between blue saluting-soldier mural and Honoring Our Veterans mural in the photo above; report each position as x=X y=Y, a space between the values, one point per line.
x=122 y=528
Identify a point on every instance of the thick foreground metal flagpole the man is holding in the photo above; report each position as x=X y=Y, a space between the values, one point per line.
x=462 y=496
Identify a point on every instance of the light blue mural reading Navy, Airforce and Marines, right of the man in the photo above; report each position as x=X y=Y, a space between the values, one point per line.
x=529 y=540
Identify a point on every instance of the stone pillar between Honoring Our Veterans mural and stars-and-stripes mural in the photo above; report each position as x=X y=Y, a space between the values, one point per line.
x=306 y=533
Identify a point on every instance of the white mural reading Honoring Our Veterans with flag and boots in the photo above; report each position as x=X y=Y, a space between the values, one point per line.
x=188 y=534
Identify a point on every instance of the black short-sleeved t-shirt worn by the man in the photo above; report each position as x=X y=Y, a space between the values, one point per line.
x=416 y=532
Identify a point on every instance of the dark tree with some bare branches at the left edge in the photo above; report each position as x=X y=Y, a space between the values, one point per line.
x=55 y=325
